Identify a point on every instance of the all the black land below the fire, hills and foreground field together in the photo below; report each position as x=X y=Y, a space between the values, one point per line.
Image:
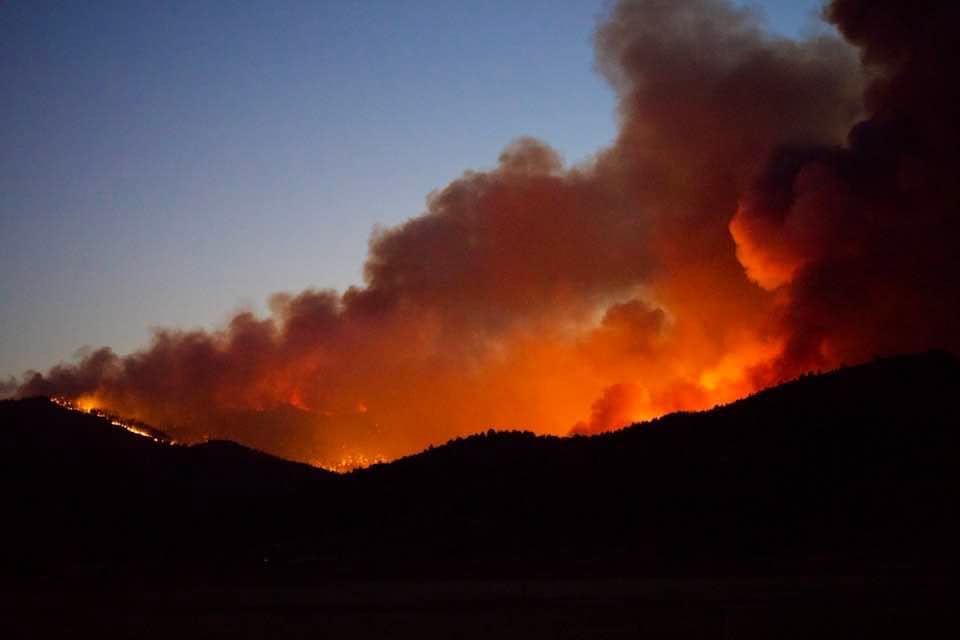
x=826 y=507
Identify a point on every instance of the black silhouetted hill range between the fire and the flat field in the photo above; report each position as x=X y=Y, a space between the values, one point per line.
x=852 y=470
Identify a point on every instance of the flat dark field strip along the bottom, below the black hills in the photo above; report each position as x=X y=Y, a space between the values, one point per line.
x=840 y=607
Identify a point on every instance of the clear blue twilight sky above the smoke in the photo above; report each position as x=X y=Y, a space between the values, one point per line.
x=165 y=163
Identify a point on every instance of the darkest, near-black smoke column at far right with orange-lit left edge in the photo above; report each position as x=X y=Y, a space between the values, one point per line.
x=862 y=239
